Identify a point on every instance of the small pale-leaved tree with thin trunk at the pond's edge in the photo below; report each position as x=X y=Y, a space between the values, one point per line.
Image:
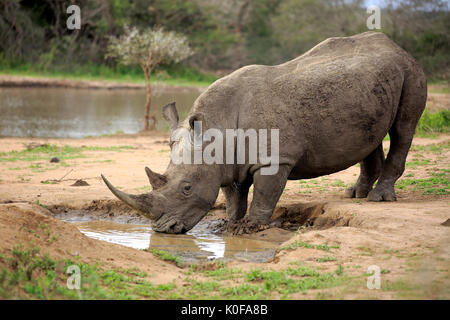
x=148 y=49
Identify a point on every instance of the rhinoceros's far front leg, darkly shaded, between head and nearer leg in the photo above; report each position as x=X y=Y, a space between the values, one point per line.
x=236 y=200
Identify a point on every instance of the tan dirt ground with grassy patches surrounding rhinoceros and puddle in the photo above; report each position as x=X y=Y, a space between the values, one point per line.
x=338 y=237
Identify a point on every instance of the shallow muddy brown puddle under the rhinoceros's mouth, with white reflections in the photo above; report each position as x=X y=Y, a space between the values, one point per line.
x=198 y=244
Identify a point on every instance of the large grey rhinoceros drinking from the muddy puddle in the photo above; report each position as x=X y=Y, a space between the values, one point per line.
x=333 y=106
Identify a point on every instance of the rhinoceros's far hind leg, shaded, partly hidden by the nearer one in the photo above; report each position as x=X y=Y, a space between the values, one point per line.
x=370 y=171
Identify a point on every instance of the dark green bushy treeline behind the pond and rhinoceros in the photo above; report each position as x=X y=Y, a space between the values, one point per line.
x=226 y=34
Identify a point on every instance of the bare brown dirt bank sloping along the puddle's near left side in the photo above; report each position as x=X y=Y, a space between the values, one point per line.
x=24 y=223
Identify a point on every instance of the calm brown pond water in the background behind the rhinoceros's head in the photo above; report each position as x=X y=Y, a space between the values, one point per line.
x=77 y=113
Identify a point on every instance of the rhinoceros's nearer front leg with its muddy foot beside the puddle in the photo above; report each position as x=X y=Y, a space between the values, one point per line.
x=267 y=190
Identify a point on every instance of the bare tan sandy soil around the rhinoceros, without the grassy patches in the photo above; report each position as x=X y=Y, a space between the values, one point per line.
x=406 y=239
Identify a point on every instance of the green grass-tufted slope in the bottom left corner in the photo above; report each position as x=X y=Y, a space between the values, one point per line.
x=29 y=274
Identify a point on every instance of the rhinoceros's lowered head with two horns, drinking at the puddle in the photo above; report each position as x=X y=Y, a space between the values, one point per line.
x=181 y=196
